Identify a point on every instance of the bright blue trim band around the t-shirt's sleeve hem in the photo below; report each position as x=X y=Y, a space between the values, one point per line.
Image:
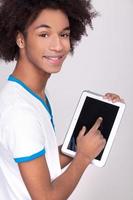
x=30 y=158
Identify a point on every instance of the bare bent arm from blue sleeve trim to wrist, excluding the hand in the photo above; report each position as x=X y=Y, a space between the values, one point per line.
x=37 y=179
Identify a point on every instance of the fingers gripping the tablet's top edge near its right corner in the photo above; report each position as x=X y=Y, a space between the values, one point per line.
x=113 y=97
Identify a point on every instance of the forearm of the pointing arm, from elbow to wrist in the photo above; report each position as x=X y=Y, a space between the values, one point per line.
x=64 y=185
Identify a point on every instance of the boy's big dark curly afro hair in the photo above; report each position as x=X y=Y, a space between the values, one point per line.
x=18 y=15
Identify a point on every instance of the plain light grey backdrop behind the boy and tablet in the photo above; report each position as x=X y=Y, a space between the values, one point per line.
x=103 y=62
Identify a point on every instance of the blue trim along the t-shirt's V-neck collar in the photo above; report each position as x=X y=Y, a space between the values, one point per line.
x=46 y=105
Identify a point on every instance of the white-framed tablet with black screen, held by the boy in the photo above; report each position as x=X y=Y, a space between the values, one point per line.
x=90 y=107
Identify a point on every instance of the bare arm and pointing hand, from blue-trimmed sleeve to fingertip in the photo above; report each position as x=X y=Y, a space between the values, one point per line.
x=36 y=174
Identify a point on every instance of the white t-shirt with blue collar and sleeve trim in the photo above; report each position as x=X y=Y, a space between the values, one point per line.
x=26 y=133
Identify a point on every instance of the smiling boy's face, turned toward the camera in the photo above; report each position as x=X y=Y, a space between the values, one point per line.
x=47 y=42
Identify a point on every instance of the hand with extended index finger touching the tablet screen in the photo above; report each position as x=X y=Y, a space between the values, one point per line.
x=90 y=145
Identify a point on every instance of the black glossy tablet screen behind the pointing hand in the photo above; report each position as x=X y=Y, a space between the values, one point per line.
x=91 y=110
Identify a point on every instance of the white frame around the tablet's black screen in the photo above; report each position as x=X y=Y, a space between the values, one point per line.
x=96 y=162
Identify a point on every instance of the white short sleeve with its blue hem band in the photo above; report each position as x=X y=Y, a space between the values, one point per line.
x=24 y=135
